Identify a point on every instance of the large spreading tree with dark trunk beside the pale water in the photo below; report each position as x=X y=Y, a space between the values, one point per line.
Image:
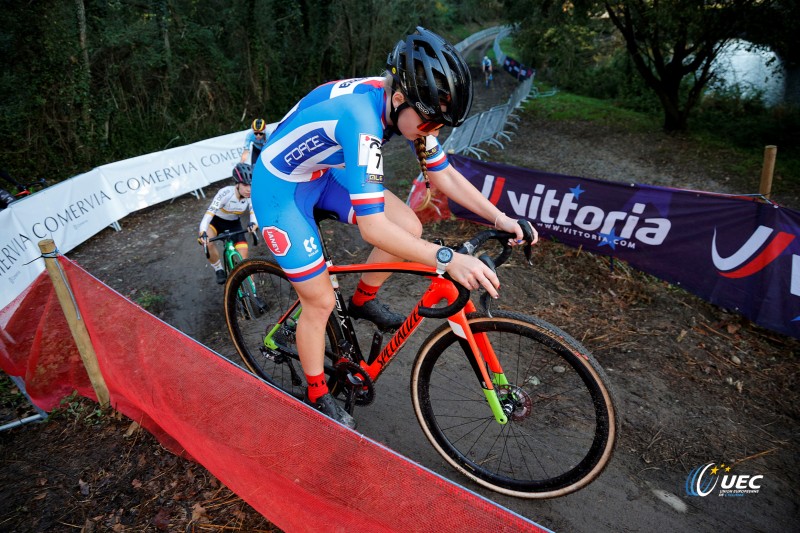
x=672 y=44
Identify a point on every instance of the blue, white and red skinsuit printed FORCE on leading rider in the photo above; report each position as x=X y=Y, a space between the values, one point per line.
x=325 y=153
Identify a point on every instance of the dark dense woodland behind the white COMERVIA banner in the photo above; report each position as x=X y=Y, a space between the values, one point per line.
x=171 y=72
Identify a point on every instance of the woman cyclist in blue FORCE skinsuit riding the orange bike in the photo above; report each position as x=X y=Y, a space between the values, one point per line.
x=326 y=153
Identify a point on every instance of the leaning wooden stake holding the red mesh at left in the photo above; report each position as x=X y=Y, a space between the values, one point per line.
x=75 y=321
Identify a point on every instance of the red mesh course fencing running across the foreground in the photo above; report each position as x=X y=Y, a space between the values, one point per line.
x=300 y=470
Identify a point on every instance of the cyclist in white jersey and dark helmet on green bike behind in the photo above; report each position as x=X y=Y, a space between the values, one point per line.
x=229 y=204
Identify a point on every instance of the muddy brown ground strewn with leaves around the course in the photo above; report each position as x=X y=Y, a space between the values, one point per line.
x=695 y=384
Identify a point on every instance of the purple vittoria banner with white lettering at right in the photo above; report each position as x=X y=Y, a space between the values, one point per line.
x=736 y=253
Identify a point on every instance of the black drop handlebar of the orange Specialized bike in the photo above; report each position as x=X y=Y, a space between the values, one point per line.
x=470 y=247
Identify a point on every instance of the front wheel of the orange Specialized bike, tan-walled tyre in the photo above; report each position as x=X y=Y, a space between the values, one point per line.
x=559 y=436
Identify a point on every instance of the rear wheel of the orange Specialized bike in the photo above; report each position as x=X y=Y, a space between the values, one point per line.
x=279 y=365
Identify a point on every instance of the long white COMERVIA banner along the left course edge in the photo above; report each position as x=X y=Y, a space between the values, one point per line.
x=74 y=210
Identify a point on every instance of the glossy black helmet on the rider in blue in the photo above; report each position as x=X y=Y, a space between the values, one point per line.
x=432 y=76
